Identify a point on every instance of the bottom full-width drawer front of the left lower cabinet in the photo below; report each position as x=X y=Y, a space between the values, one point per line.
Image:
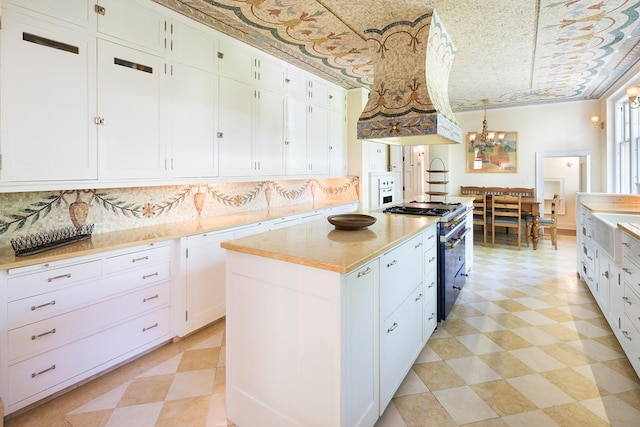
x=48 y=370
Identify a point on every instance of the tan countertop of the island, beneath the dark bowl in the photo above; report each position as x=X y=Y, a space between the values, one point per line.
x=318 y=244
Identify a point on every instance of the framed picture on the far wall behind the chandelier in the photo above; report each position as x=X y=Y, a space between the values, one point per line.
x=501 y=158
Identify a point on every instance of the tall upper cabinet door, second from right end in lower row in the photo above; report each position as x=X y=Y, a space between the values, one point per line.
x=318 y=140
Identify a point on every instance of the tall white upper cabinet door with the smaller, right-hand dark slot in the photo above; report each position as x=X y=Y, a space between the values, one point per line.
x=129 y=94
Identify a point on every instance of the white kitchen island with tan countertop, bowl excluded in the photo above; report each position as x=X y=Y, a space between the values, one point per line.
x=324 y=324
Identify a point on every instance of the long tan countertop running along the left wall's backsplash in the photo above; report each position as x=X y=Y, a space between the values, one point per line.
x=102 y=242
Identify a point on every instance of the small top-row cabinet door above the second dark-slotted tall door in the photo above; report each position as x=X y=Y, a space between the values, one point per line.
x=134 y=22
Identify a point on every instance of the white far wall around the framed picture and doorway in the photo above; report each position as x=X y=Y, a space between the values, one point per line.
x=558 y=127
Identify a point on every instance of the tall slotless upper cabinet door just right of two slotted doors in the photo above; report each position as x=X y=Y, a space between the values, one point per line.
x=192 y=116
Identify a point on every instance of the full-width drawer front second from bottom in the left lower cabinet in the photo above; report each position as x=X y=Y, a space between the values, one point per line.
x=59 y=330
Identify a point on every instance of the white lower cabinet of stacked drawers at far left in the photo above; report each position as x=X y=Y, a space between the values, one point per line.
x=66 y=321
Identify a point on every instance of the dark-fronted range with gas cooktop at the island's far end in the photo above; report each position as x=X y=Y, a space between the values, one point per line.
x=452 y=231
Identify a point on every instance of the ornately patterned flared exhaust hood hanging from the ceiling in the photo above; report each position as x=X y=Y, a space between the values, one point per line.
x=409 y=101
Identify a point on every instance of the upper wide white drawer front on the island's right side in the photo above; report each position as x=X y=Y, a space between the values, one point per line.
x=401 y=272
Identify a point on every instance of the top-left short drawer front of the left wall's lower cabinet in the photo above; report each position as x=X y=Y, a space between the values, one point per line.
x=52 y=279
